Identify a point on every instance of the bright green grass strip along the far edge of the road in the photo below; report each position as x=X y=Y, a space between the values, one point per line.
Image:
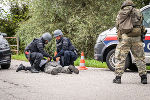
x=88 y=63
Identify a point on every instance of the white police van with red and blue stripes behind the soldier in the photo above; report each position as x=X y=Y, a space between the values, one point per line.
x=107 y=41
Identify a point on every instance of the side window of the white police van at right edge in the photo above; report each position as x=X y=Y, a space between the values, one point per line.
x=146 y=15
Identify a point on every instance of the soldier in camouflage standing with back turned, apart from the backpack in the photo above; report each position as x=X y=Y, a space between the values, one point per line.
x=130 y=41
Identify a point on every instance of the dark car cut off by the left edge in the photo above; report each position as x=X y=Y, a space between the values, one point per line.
x=5 y=52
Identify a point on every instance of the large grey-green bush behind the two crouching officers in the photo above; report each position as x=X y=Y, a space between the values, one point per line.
x=80 y=20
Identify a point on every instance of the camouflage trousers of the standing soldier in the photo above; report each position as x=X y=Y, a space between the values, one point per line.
x=125 y=45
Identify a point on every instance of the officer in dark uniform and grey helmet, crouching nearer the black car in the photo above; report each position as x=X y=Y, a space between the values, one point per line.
x=35 y=52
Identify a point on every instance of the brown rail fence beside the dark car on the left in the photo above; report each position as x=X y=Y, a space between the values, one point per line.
x=14 y=45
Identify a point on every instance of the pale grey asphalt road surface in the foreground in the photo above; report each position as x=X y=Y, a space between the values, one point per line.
x=91 y=84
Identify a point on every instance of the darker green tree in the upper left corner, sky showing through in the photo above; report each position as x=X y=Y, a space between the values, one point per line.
x=16 y=14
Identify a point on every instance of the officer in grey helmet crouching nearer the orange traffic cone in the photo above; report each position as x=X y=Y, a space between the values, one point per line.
x=66 y=51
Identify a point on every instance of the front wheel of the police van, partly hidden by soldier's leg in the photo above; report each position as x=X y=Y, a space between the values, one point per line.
x=110 y=60
